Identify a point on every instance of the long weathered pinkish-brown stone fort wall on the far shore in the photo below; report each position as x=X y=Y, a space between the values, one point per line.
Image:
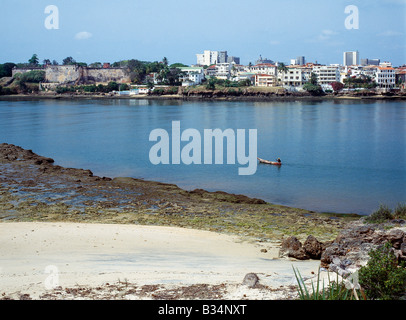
x=73 y=74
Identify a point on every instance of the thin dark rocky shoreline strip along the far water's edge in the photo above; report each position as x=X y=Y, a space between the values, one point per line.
x=256 y=98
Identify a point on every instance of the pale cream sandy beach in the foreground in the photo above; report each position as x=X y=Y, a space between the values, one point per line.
x=37 y=257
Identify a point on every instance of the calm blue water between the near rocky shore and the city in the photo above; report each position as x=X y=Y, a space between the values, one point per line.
x=338 y=156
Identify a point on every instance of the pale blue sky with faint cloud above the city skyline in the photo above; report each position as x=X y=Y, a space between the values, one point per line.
x=107 y=31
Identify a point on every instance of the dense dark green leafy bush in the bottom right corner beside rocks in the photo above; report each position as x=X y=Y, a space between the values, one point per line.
x=382 y=277
